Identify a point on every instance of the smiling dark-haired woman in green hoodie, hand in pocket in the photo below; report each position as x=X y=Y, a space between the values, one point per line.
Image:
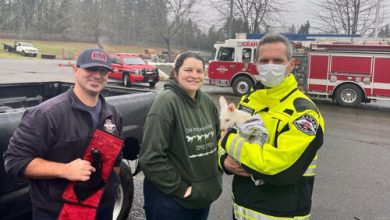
x=179 y=150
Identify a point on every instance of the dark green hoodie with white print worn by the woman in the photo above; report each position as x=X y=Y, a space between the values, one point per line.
x=179 y=146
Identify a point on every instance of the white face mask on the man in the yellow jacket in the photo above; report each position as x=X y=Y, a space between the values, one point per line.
x=271 y=75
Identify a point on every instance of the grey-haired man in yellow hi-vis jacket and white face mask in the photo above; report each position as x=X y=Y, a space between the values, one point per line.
x=275 y=180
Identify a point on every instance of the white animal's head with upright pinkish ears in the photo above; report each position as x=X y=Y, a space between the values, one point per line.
x=230 y=115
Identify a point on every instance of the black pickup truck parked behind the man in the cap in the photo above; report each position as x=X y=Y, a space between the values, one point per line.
x=15 y=98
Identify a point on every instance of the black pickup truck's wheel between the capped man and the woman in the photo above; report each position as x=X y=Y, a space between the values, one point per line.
x=125 y=194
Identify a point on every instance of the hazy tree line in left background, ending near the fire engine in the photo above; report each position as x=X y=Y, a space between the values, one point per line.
x=145 y=22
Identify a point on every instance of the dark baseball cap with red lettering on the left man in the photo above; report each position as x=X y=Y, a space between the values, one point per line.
x=94 y=57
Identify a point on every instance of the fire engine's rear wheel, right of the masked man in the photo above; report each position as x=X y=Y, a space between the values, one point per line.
x=349 y=95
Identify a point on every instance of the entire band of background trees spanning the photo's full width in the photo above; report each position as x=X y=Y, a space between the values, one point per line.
x=171 y=23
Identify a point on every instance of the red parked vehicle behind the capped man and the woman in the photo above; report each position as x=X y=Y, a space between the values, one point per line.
x=130 y=68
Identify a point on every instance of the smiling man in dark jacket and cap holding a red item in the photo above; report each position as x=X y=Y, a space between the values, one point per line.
x=49 y=143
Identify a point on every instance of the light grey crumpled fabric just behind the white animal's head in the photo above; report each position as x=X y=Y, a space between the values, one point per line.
x=254 y=130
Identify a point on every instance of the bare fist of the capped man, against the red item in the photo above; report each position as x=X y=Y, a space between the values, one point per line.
x=78 y=170
